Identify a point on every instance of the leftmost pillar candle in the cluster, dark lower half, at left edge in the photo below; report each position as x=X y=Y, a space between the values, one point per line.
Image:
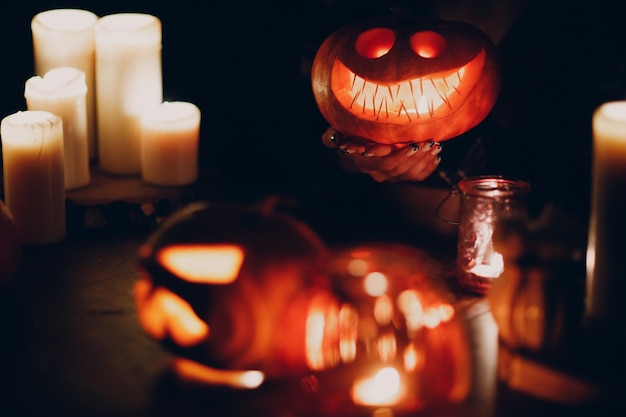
x=34 y=185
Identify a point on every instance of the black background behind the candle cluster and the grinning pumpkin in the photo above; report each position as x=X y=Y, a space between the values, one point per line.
x=246 y=65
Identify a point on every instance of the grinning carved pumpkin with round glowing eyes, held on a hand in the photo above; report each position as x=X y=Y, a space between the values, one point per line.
x=394 y=80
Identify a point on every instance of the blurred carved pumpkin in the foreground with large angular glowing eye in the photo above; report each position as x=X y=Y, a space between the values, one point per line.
x=219 y=284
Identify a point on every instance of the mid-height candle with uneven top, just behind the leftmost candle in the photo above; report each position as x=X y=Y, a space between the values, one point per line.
x=62 y=91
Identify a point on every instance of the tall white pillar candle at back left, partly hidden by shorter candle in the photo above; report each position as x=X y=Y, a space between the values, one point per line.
x=65 y=37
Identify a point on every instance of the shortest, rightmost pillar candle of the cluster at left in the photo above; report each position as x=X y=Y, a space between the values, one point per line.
x=169 y=144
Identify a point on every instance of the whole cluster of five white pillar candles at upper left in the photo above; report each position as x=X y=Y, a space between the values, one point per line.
x=96 y=95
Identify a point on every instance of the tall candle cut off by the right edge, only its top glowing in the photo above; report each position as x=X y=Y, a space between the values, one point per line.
x=606 y=269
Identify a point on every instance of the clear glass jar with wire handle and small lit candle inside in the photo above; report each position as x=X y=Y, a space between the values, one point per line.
x=485 y=201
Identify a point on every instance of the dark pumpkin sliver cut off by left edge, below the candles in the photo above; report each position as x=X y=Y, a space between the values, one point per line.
x=10 y=245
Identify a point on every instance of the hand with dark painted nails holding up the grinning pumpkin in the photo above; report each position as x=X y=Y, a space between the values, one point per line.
x=386 y=163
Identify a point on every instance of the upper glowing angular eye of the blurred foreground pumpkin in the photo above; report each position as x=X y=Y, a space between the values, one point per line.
x=203 y=263
